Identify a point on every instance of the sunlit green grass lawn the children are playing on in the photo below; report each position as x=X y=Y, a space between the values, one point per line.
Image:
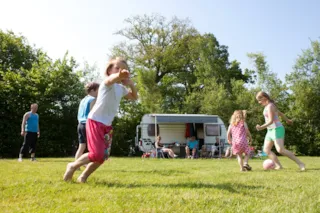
x=160 y=185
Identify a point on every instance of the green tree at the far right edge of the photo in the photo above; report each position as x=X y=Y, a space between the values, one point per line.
x=304 y=83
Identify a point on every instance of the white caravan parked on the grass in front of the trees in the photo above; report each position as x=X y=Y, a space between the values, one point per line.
x=175 y=128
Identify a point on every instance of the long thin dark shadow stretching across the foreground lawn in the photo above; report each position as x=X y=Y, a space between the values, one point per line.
x=230 y=187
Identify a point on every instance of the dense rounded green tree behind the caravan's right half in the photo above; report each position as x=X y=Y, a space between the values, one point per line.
x=213 y=89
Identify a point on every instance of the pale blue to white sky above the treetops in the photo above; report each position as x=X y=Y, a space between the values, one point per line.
x=280 y=29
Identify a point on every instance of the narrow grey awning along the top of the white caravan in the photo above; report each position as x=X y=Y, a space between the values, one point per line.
x=186 y=119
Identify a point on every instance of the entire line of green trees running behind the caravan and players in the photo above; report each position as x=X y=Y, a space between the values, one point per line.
x=177 y=70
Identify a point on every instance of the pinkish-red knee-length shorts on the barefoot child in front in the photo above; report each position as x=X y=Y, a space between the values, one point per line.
x=99 y=139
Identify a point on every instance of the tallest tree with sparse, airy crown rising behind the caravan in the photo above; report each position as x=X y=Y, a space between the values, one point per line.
x=157 y=50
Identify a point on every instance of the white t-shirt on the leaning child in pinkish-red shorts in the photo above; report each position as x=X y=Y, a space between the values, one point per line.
x=107 y=103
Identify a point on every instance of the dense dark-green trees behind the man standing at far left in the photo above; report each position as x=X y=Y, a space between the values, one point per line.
x=35 y=78
